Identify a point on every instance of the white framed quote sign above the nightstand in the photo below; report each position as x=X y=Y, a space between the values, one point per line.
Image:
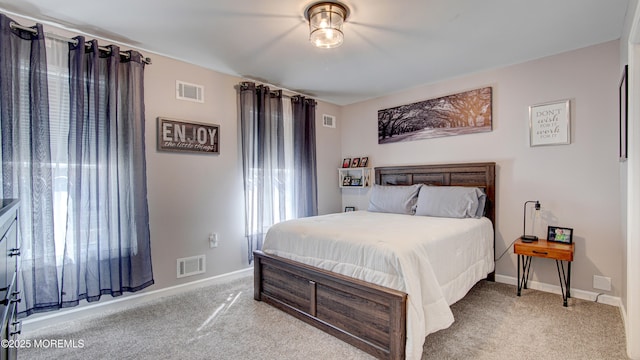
x=550 y=123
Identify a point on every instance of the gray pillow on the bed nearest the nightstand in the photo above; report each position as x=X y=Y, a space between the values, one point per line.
x=451 y=201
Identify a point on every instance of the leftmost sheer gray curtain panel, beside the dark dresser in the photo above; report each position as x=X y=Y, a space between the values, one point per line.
x=26 y=158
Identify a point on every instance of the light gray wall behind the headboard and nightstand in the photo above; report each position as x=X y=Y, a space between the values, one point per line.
x=578 y=185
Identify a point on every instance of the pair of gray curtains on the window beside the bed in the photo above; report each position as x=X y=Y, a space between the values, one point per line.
x=279 y=159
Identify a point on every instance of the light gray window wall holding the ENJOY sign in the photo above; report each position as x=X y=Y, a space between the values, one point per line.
x=192 y=195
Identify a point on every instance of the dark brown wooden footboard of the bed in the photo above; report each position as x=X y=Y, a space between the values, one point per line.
x=367 y=316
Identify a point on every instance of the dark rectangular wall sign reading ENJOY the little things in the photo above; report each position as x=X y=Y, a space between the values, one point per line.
x=182 y=136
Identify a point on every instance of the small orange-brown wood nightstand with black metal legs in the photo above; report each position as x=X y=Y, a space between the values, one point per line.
x=561 y=253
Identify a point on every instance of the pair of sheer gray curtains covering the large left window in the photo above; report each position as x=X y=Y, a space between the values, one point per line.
x=73 y=151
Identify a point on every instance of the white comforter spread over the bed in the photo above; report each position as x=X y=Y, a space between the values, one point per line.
x=435 y=261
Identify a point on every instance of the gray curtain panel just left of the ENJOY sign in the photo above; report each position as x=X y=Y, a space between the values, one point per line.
x=107 y=245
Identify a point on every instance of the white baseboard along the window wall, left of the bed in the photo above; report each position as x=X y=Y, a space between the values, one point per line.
x=38 y=321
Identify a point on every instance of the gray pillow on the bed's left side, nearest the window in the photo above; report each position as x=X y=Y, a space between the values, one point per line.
x=394 y=199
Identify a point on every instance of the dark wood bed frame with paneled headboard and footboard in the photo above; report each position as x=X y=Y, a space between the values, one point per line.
x=367 y=316
